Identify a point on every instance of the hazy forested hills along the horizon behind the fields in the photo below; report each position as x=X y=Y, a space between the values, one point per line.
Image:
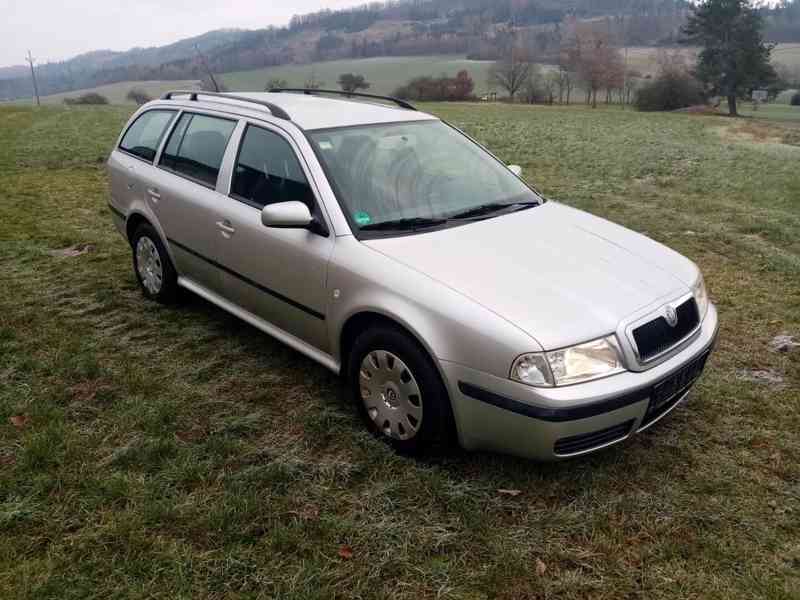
x=476 y=28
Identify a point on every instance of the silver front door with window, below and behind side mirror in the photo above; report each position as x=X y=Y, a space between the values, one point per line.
x=277 y=274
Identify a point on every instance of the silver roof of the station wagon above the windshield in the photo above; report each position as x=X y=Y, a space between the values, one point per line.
x=312 y=112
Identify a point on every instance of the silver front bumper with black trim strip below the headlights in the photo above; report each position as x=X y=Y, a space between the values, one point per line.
x=501 y=415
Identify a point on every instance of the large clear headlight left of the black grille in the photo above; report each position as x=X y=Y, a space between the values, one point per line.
x=598 y=358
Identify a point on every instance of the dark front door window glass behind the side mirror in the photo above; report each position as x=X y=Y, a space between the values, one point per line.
x=267 y=171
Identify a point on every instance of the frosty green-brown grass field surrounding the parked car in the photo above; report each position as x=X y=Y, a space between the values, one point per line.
x=179 y=453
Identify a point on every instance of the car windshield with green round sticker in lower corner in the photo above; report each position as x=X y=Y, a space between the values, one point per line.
x=408 y=176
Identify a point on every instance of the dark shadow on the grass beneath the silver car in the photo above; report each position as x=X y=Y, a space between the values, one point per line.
x=331 y=421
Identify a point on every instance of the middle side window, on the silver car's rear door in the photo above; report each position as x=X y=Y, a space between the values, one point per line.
x=196 y=147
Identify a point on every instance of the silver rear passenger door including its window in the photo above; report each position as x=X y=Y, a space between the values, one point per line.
x=185 y=198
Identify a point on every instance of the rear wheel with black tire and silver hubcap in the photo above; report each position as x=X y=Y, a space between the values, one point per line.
x=153 y=268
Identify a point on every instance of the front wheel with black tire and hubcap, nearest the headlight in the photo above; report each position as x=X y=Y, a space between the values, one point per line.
x=398 y=391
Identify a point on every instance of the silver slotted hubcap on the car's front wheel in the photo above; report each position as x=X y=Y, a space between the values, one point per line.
x=391 y=395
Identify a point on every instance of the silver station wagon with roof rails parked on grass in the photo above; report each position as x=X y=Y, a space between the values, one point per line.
x=393 y=249
